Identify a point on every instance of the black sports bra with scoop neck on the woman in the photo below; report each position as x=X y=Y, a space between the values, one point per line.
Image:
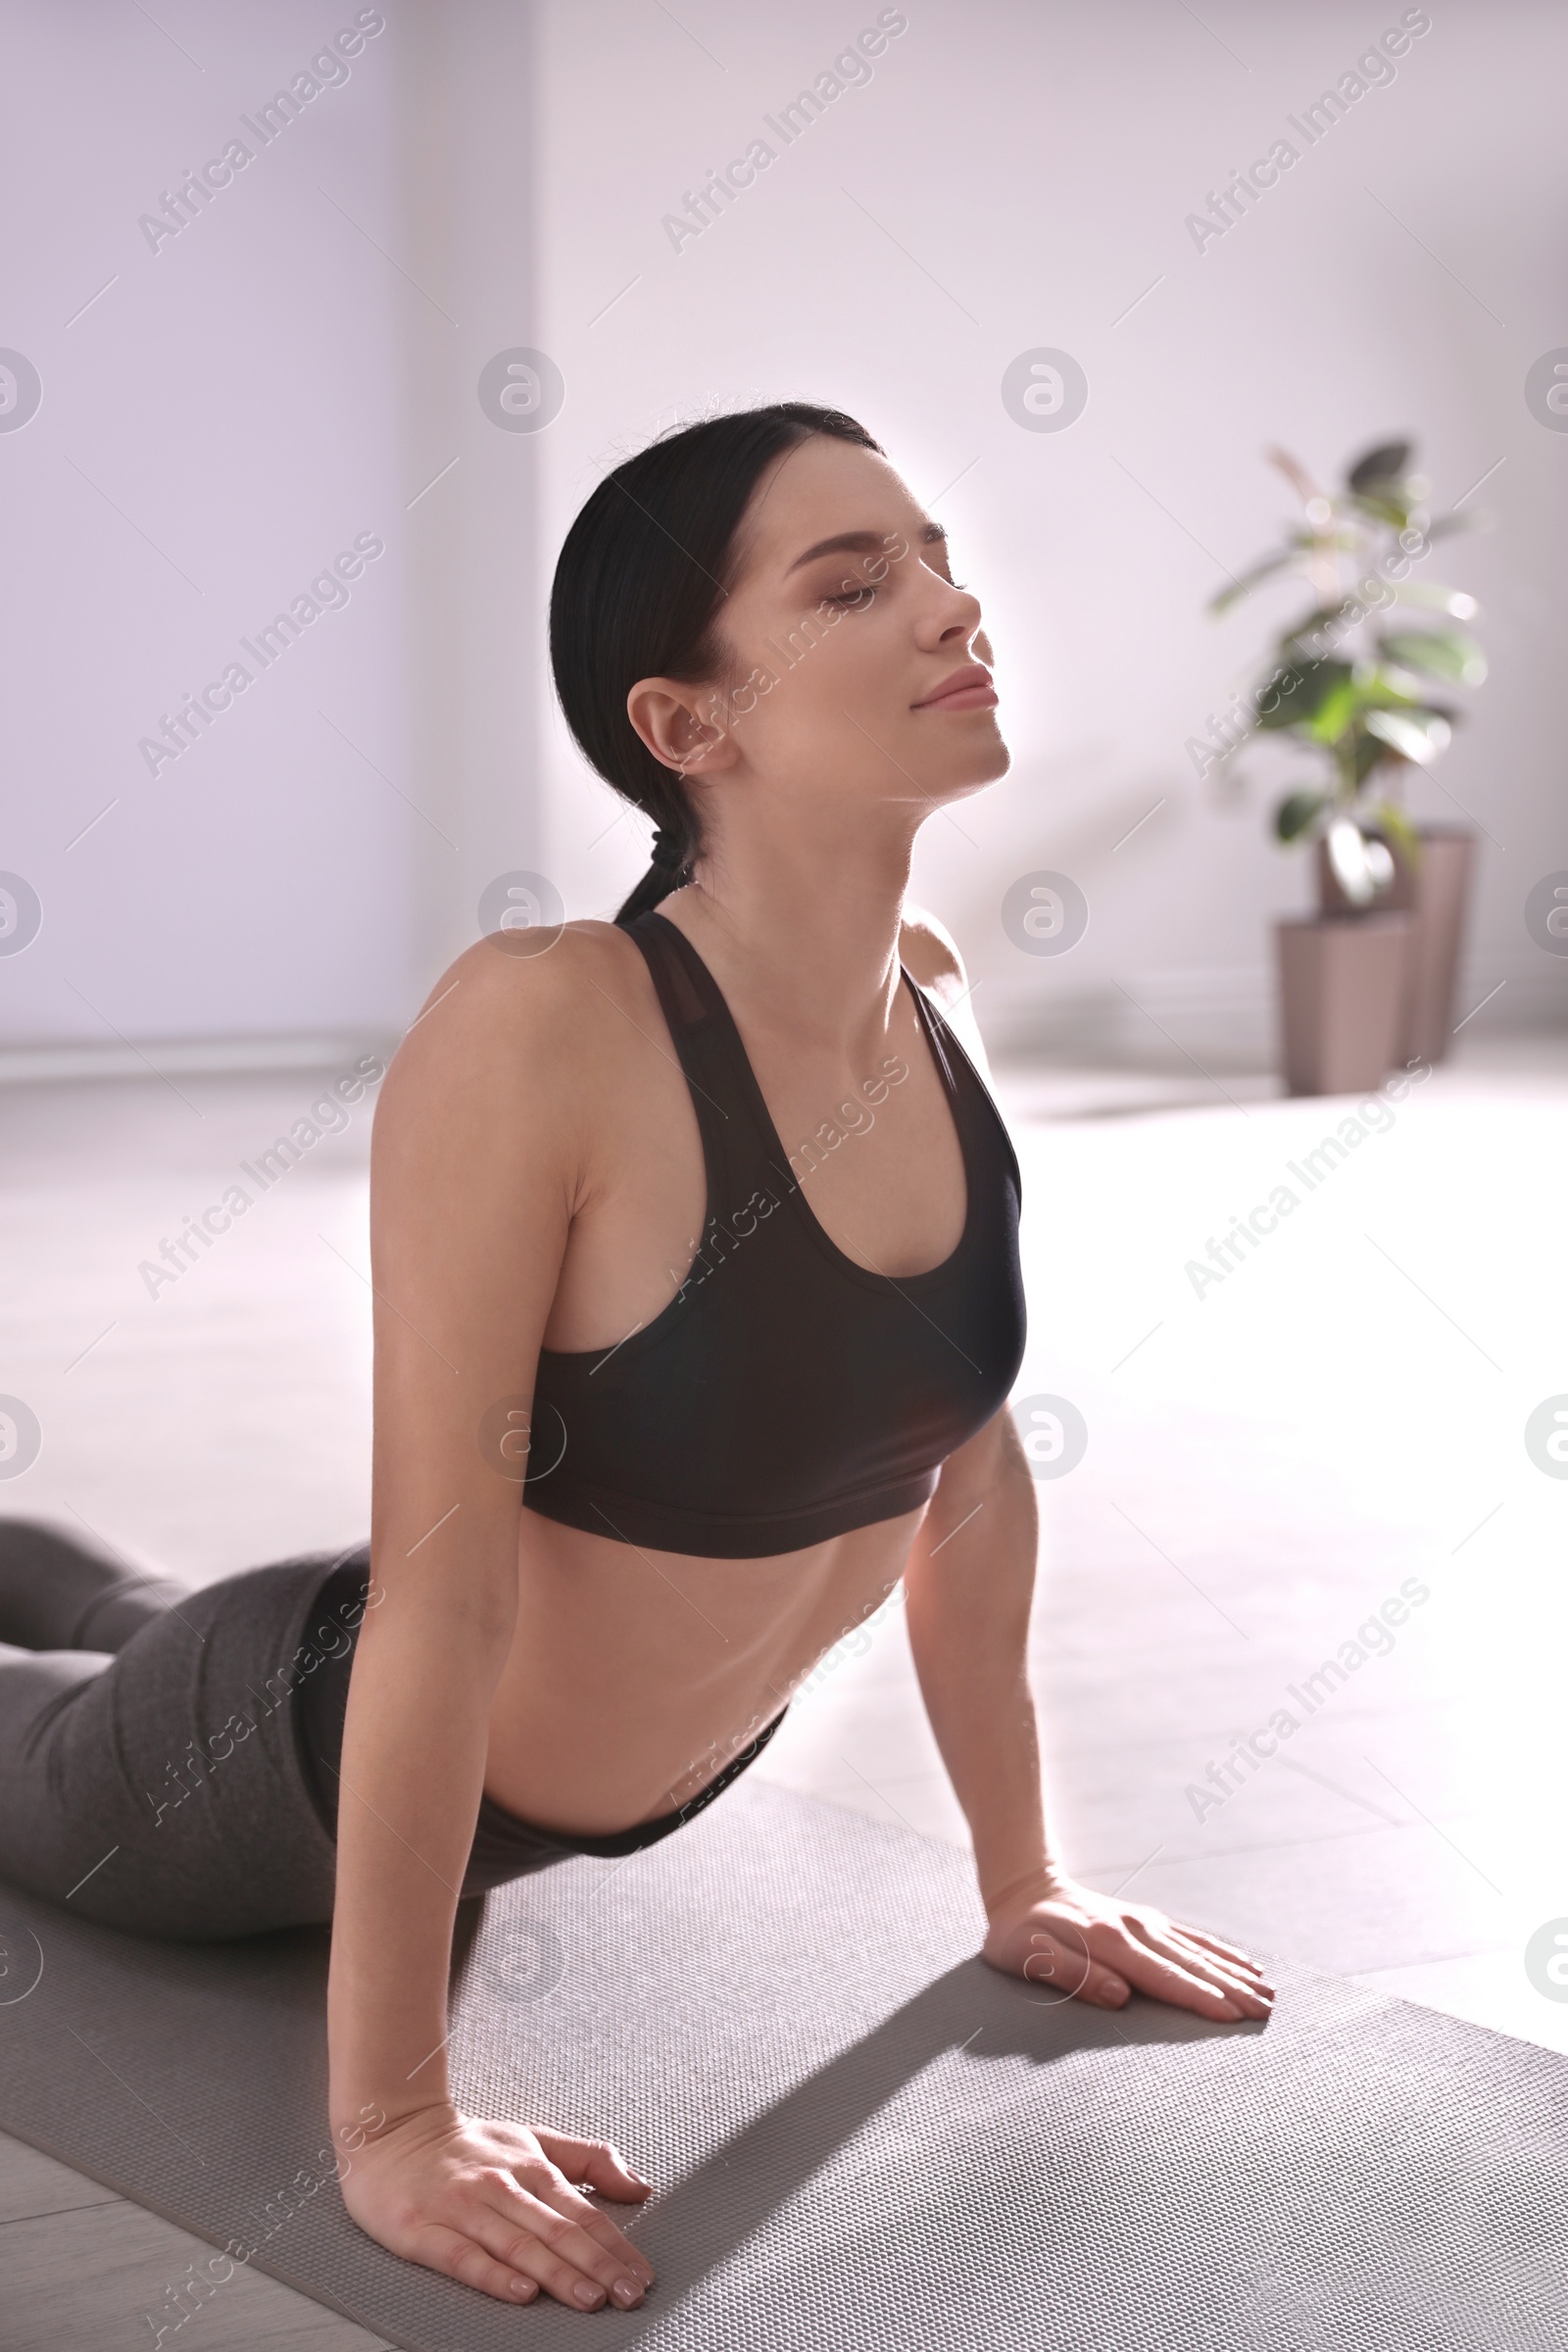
x=784 y=1394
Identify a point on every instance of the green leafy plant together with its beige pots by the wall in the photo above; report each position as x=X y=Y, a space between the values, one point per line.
x=1369 y=982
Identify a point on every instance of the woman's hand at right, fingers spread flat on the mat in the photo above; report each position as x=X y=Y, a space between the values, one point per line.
x=1097 y=1949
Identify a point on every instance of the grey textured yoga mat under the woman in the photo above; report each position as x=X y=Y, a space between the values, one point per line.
x=859 y=2134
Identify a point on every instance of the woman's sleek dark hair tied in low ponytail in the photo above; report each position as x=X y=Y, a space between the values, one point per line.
x=636 y=594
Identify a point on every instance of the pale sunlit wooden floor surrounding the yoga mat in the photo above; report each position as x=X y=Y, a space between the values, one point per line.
x=1266 y=1464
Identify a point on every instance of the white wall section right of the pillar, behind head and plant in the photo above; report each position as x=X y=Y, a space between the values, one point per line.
x=1019 y=175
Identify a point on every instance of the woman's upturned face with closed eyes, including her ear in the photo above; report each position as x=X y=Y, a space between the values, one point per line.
x=845 y=627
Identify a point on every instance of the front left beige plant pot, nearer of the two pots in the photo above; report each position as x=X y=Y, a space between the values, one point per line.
x=1343 y=987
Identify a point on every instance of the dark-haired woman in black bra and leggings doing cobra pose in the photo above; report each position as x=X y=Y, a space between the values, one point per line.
x=695 y=1245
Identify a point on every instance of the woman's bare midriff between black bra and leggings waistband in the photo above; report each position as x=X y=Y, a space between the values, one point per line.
x=636 y=1676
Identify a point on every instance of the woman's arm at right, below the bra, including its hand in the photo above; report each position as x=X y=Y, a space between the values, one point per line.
x=967 y=1603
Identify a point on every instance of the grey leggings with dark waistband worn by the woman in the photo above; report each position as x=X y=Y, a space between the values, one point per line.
x=168 y=1758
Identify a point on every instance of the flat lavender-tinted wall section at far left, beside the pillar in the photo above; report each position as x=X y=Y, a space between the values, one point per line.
x=215 y=429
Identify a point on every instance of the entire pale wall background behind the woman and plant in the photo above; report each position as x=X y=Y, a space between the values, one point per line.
x=281 y=377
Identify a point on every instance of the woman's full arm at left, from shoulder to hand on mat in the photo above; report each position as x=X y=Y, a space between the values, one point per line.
x=476 y=1161
